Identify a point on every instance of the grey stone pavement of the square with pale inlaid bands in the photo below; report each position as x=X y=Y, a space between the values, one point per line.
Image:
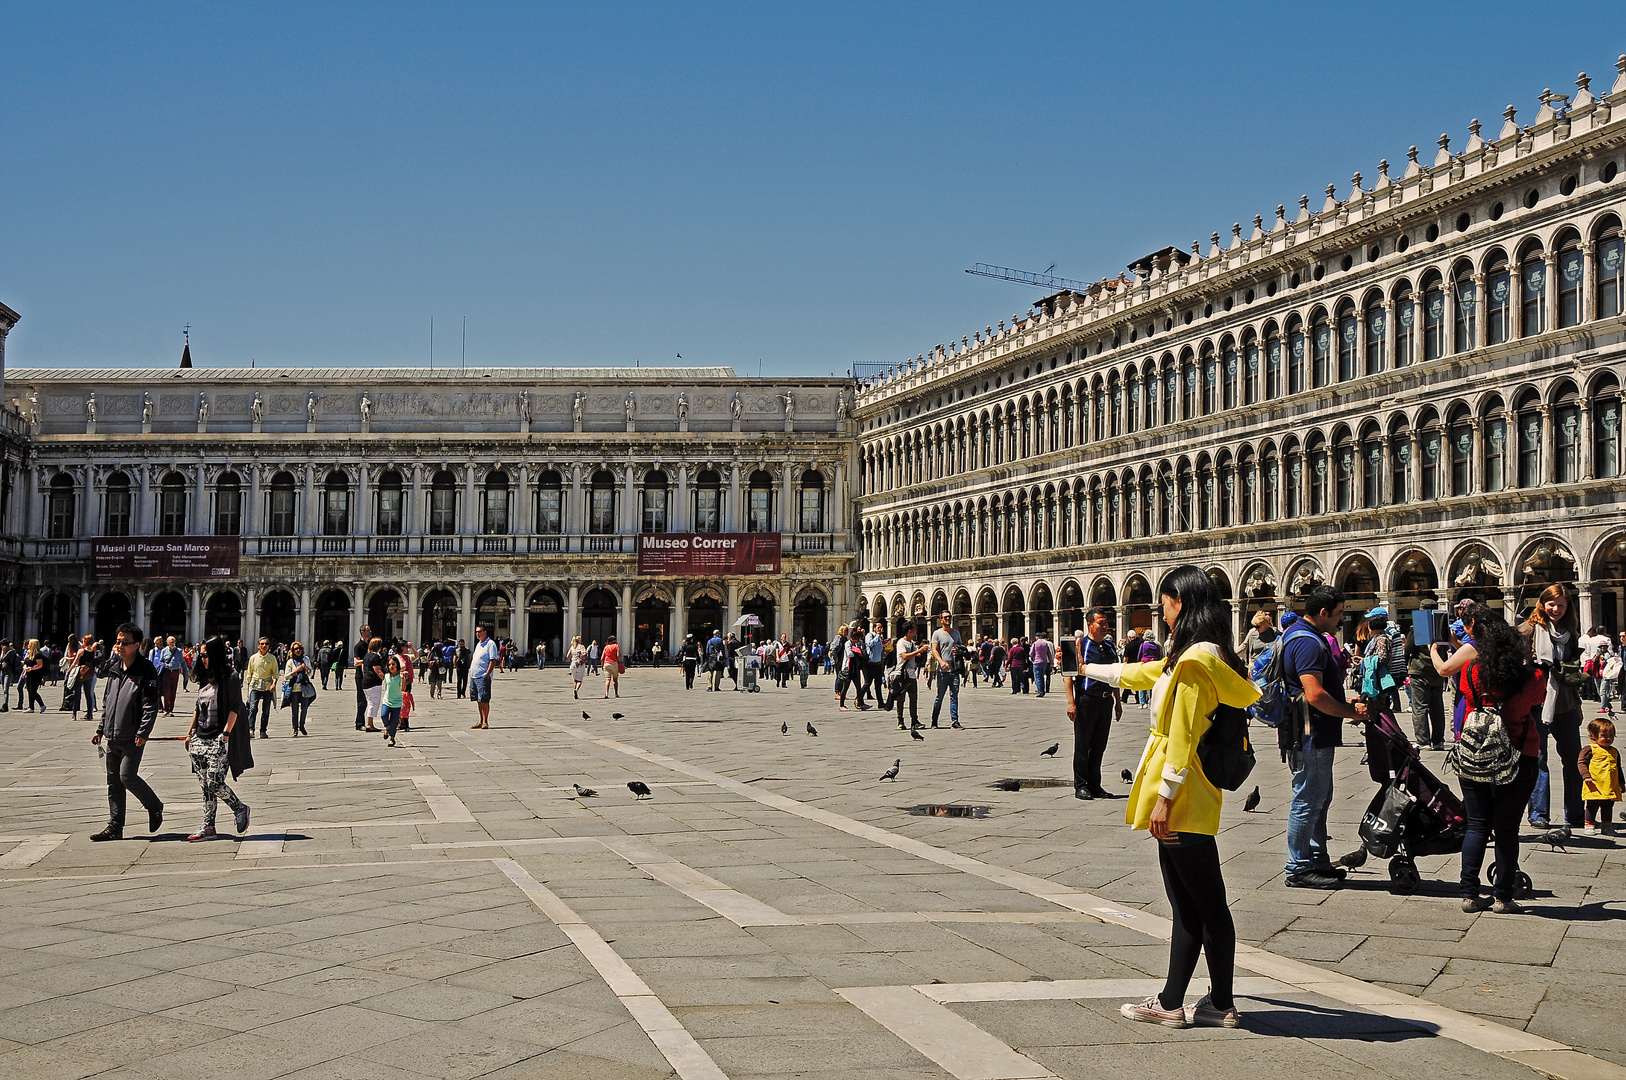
x=451 y=908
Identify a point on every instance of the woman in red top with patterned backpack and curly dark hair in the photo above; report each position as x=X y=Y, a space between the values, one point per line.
x=1500 y=676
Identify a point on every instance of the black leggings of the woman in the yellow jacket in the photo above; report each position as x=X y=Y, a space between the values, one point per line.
x=1202 y=920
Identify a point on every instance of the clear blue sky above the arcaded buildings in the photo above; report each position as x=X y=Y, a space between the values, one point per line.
x=593 y=185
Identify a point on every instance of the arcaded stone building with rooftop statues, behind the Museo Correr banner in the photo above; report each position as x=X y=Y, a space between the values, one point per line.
x=422 y=502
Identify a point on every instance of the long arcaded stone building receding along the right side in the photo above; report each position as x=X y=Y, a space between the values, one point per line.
x=1412 y=391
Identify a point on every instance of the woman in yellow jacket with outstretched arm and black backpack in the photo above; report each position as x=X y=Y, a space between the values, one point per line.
x=1176 y=803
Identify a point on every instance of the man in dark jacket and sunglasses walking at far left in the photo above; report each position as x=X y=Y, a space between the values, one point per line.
x=131 y=699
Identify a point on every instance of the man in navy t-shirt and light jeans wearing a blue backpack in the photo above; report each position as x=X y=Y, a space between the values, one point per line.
x=1308 y=747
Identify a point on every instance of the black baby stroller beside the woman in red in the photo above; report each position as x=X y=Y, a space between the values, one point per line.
x=1414 y=812
